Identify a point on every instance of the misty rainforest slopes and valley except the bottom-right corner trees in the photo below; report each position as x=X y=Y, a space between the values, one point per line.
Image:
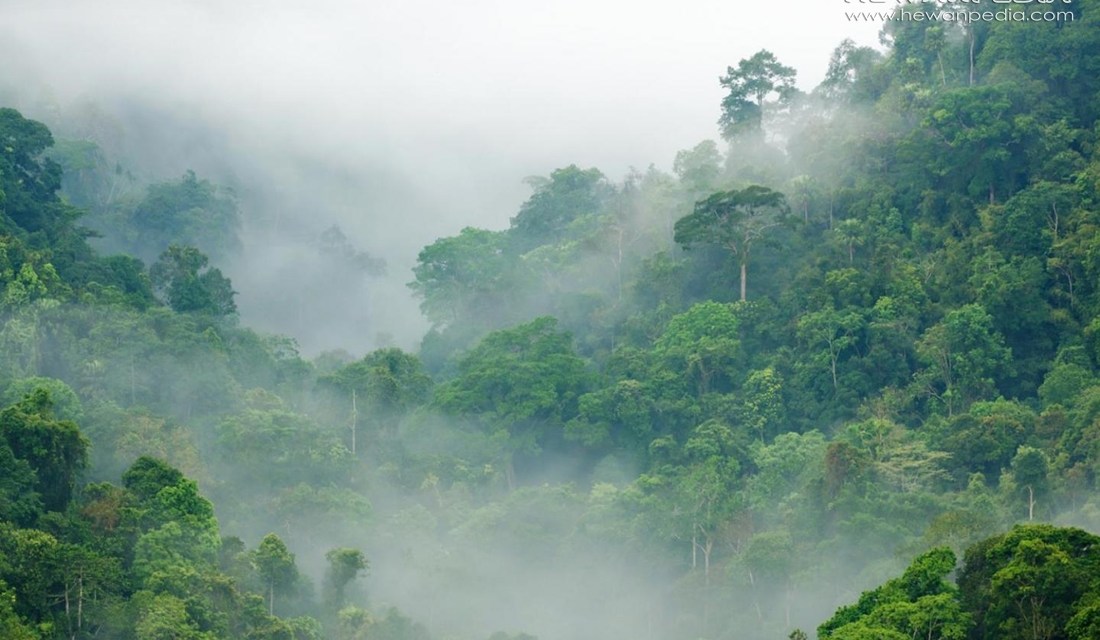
x=712 y=404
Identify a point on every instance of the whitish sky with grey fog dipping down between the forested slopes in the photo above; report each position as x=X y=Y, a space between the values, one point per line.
x=431 y=112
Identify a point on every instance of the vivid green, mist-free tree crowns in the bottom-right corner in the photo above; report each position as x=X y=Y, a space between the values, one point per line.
x=1036 y=582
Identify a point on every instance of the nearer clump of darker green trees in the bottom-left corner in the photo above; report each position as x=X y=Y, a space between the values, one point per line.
x=134 y=562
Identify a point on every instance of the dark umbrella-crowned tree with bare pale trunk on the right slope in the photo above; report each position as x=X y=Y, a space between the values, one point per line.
x=735 y=220
